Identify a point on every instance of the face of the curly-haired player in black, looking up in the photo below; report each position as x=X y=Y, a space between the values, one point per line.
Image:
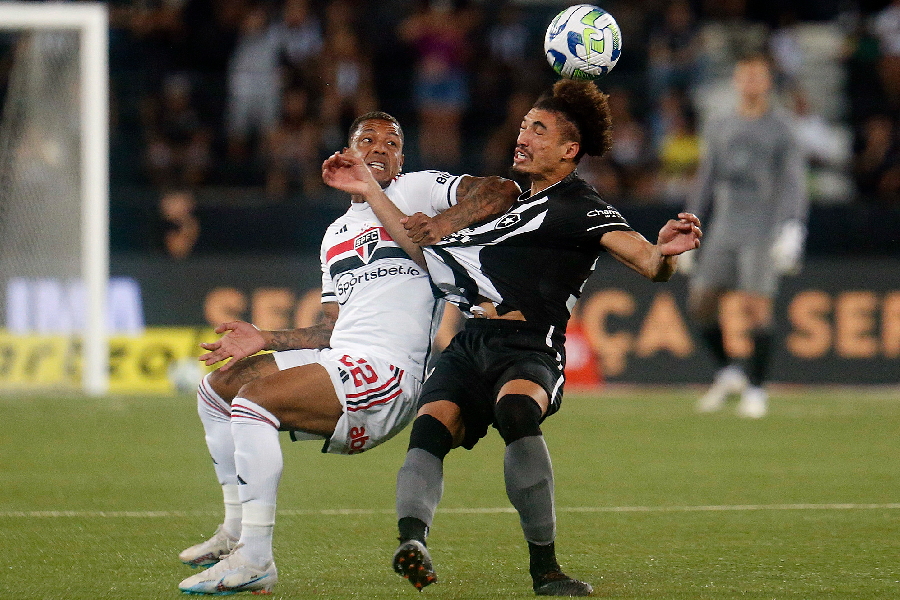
x=541 y=148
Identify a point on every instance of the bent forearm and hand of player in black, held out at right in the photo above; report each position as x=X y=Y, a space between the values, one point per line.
x=656 y=262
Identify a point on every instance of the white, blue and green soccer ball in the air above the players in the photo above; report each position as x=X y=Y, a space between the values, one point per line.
x=583 y=42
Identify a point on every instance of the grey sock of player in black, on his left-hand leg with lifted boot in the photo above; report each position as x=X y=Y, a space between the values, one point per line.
x=420 y=485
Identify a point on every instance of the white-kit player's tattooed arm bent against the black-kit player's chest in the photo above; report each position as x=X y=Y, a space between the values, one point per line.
x=478 y=199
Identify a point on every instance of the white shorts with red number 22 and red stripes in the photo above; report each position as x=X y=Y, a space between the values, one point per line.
x=379 y=399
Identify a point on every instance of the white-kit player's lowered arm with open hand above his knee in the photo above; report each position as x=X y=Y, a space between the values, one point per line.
x=243 y=339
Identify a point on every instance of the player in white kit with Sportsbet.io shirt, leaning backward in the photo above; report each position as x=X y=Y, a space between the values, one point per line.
x=352 y=380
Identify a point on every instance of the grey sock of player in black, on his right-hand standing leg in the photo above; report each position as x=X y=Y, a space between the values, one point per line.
x=529 y=485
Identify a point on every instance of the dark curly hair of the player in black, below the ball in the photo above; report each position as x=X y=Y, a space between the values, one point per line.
x=586 y=109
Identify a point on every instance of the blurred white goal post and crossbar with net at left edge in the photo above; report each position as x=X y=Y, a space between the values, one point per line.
x=90 y=21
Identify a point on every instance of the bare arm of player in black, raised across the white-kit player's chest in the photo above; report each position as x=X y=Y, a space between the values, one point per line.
x=347 y=172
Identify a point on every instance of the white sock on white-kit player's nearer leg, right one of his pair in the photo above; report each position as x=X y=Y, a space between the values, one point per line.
x=259 y=464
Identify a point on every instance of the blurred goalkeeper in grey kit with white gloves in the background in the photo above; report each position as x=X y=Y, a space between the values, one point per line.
x=752 y=181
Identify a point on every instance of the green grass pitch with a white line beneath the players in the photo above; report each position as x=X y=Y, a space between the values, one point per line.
x=634 y=470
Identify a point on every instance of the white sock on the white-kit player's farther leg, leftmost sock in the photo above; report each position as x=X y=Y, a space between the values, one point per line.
x=215 y=414
